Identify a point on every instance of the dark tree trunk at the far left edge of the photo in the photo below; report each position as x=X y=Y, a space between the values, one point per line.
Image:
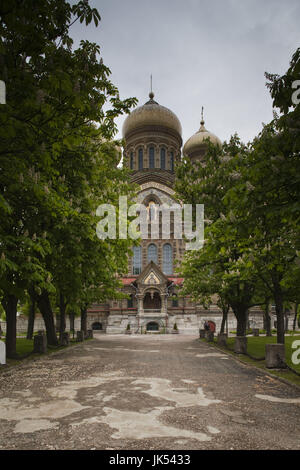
x=10 y=303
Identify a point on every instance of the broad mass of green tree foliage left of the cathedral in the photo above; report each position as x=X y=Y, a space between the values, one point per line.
x=57 y=165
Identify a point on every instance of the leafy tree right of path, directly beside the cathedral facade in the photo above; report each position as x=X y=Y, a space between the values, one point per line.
x=217 y=267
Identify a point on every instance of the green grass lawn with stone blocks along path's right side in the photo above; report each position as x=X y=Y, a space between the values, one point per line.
x=256 y=348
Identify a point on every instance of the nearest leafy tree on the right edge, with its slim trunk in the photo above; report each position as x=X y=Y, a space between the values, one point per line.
x=263 y=200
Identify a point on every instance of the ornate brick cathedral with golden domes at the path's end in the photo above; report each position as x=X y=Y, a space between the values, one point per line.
x=153 y=145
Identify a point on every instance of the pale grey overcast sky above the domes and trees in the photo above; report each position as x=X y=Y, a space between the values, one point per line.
x=210 y=53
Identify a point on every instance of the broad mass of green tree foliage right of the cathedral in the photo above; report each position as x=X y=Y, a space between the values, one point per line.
x=251 y=197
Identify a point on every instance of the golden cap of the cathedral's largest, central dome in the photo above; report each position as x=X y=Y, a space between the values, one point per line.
x=151 y=114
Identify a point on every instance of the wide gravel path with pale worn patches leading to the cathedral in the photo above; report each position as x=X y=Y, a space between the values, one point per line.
x=145 y=392
